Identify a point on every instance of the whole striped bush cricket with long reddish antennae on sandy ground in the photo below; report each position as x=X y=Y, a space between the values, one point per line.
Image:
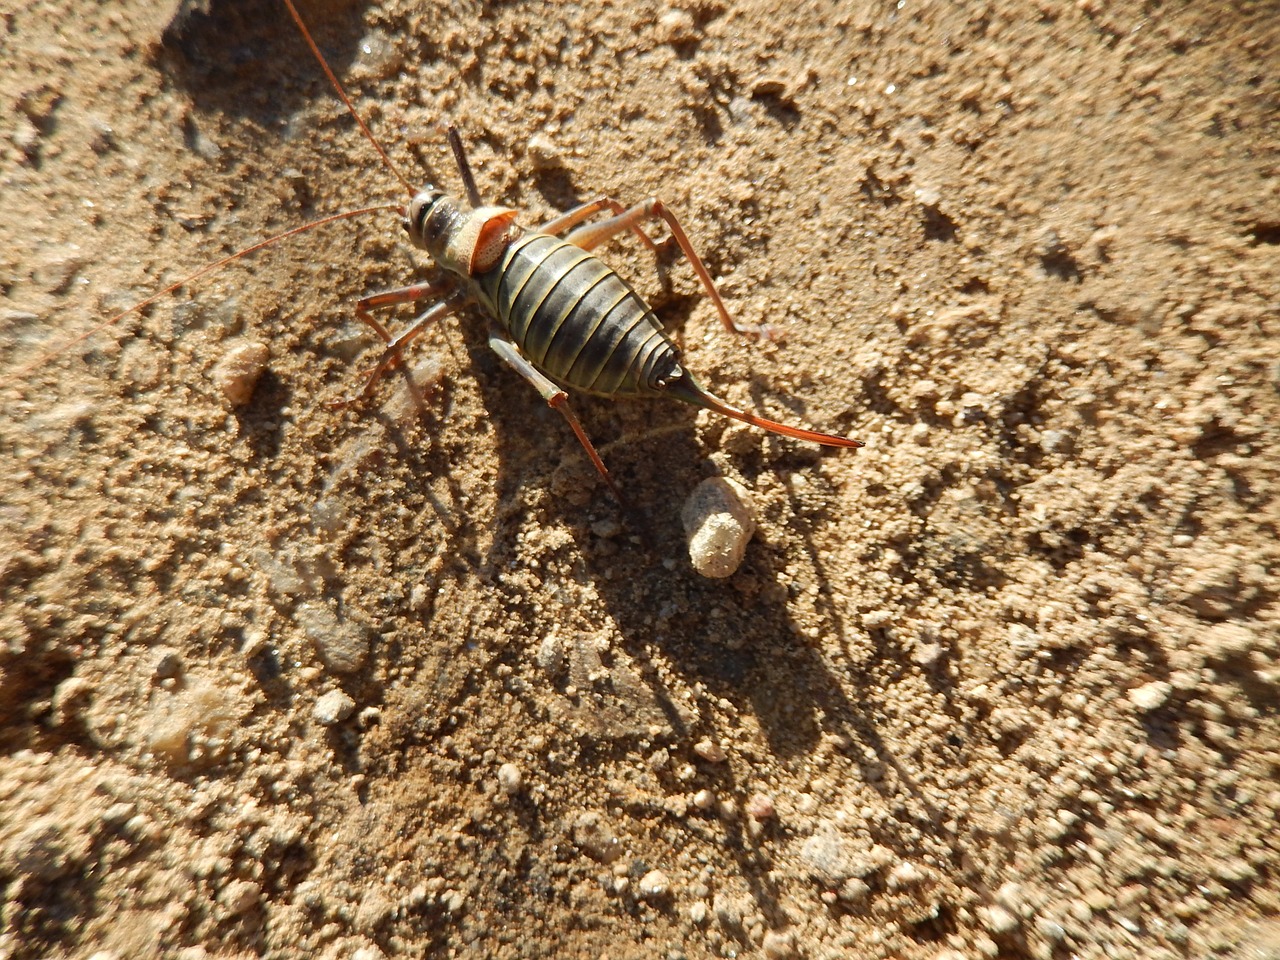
x=557 y=314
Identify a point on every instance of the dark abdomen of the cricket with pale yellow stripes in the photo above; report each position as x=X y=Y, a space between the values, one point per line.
x=575 y=319
